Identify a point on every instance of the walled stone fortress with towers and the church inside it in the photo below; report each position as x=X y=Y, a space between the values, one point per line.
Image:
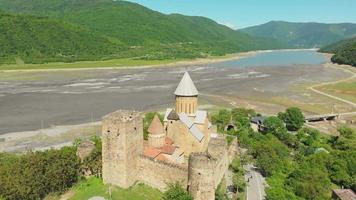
x=184 y=148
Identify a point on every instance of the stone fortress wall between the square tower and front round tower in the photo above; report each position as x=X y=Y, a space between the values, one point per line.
x=157 y=174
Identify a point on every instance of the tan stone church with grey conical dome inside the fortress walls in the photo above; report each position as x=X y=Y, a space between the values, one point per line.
x=185 y=130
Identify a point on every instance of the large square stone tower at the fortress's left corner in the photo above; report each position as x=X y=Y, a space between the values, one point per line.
x=122 y=144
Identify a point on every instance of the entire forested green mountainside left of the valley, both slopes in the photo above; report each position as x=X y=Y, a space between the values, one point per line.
x=118 y=29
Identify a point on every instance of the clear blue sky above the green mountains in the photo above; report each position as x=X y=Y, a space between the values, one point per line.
x=243 y=13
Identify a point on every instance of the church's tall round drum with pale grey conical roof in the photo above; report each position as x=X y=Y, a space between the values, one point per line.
x=186 y=96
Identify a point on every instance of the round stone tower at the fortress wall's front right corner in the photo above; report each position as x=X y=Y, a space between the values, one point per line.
x=201 y=184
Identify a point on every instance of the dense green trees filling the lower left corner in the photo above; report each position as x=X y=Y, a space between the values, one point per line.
x=37 y=174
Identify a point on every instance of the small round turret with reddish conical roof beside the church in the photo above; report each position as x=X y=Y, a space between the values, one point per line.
x=156 y=136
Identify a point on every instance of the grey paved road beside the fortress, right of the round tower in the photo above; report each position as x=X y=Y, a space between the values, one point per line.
x=255 y=184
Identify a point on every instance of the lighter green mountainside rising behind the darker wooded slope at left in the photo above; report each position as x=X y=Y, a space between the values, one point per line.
x=147 y=34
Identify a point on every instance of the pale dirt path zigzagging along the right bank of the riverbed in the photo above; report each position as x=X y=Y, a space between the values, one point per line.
x=353 y=75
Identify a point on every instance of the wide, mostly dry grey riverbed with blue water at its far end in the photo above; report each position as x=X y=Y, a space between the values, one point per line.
x=41 y=99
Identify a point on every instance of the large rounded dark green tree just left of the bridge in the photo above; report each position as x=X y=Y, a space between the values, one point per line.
x=293 y=117
